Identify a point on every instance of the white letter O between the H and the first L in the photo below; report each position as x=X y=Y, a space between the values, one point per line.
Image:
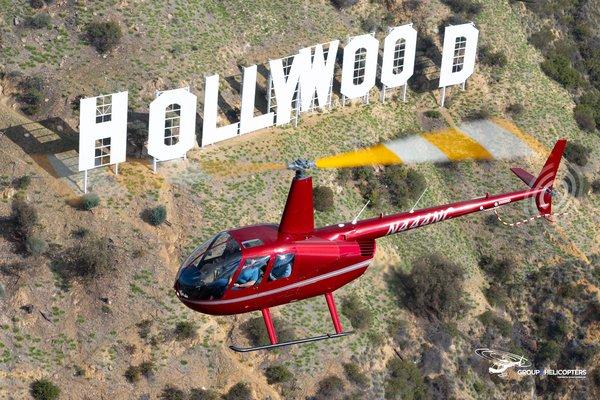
x=172 y=124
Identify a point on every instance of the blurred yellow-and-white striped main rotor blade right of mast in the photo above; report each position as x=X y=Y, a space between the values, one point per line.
x=474 y=140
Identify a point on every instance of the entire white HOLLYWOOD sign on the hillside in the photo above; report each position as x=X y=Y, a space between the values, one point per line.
x=297 y=84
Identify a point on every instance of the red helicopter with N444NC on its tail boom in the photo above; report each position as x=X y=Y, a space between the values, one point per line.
x=263 y=266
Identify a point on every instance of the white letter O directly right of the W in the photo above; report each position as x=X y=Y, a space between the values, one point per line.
x=360 y=66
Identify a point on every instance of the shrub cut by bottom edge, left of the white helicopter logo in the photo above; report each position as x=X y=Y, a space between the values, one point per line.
x=404 y=381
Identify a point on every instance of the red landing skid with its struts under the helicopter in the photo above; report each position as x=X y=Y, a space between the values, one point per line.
x=273 y=335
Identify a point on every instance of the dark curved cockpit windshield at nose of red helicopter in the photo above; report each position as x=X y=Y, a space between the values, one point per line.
x=206 y=273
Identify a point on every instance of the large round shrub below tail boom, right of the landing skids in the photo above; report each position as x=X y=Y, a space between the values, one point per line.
x=433 y=286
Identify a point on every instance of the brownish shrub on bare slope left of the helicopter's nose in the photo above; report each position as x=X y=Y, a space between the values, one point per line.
x=88 y=259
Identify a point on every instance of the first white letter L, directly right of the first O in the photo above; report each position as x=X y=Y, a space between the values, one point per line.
x=210 y=132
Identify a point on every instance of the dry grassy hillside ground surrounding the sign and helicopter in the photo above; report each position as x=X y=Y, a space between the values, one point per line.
x=84 y=334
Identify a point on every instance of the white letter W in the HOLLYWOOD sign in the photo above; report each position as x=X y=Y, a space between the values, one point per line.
x=319 y=77
